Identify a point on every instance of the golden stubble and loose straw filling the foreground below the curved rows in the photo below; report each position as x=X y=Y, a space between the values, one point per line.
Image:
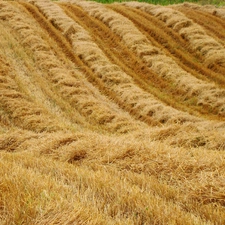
x=130 y=183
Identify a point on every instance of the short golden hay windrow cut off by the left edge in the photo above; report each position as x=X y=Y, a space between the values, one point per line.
x=17 y=107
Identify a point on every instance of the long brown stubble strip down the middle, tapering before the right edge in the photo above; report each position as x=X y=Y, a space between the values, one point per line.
x=118 y=54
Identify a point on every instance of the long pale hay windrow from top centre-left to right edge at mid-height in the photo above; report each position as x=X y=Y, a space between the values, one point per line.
x=207 y=94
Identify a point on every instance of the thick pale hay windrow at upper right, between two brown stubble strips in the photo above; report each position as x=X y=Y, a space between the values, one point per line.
x=209 y=49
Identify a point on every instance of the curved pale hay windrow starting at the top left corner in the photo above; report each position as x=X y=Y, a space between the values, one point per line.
x=71 y=86
